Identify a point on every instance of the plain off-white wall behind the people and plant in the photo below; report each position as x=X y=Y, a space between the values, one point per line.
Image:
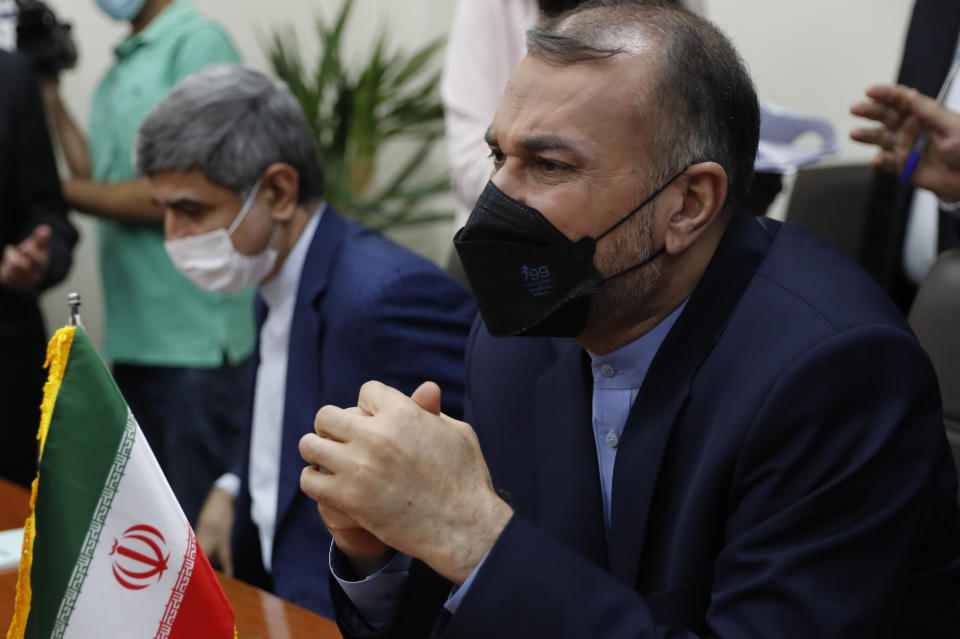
x=814 y=56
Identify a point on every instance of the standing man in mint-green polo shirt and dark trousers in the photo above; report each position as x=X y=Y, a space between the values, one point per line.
x=179 y=352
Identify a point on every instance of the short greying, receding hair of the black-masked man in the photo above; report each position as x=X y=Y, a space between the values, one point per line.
x=706 y=102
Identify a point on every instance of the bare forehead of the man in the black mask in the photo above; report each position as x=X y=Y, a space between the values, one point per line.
x=599 y=106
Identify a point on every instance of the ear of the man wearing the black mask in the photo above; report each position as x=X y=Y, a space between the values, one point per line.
x=703 y=192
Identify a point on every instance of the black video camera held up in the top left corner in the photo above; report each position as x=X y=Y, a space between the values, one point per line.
x=47 y=41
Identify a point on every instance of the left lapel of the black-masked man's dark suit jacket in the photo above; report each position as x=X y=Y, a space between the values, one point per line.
x=568 y=480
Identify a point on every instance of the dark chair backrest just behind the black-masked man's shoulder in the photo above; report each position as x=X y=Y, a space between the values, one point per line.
x=832 y=202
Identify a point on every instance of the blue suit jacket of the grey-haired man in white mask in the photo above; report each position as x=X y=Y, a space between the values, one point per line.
x=366 y=309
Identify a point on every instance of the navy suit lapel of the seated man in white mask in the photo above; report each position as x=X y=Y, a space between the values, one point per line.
x=304 y=384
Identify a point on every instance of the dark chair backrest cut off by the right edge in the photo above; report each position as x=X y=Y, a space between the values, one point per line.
x=935 y=318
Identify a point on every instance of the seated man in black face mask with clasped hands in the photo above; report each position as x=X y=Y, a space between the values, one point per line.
x=743 y=439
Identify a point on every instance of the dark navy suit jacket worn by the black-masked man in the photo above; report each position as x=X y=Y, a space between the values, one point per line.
x=784 y=471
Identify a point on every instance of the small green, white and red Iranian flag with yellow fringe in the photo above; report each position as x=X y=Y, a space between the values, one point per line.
x=107 y=551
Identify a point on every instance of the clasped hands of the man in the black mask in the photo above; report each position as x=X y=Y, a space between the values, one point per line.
x=395 y=473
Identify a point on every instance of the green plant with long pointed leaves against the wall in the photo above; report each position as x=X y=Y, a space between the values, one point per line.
x=356 y=112
